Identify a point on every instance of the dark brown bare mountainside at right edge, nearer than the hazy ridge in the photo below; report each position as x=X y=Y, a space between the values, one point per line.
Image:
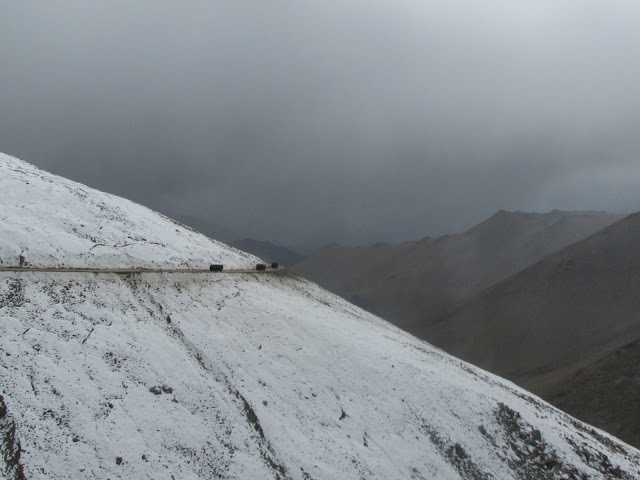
x=568 y=328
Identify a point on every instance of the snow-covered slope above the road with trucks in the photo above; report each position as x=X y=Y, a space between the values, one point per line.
x=54 y=222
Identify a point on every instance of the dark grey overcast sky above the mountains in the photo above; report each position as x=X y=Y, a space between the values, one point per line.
x=354 y=121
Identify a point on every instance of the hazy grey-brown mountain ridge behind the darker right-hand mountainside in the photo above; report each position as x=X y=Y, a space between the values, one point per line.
x=415 y=284
